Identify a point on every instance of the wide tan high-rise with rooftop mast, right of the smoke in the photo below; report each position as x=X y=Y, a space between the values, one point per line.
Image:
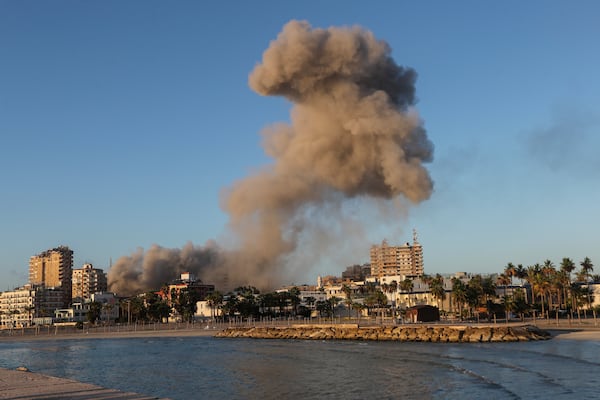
x=406 y=260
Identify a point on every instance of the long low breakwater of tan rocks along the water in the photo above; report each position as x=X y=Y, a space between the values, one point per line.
x=402 y=333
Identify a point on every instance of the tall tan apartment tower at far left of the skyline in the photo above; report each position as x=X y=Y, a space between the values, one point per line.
x=53 y=268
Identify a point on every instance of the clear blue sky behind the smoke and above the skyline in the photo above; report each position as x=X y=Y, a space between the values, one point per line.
x=121 y=123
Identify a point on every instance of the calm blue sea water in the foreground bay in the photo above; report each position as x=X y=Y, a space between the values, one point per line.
x=209 y=368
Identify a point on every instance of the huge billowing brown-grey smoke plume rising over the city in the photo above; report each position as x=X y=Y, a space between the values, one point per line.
x=353 y=134
